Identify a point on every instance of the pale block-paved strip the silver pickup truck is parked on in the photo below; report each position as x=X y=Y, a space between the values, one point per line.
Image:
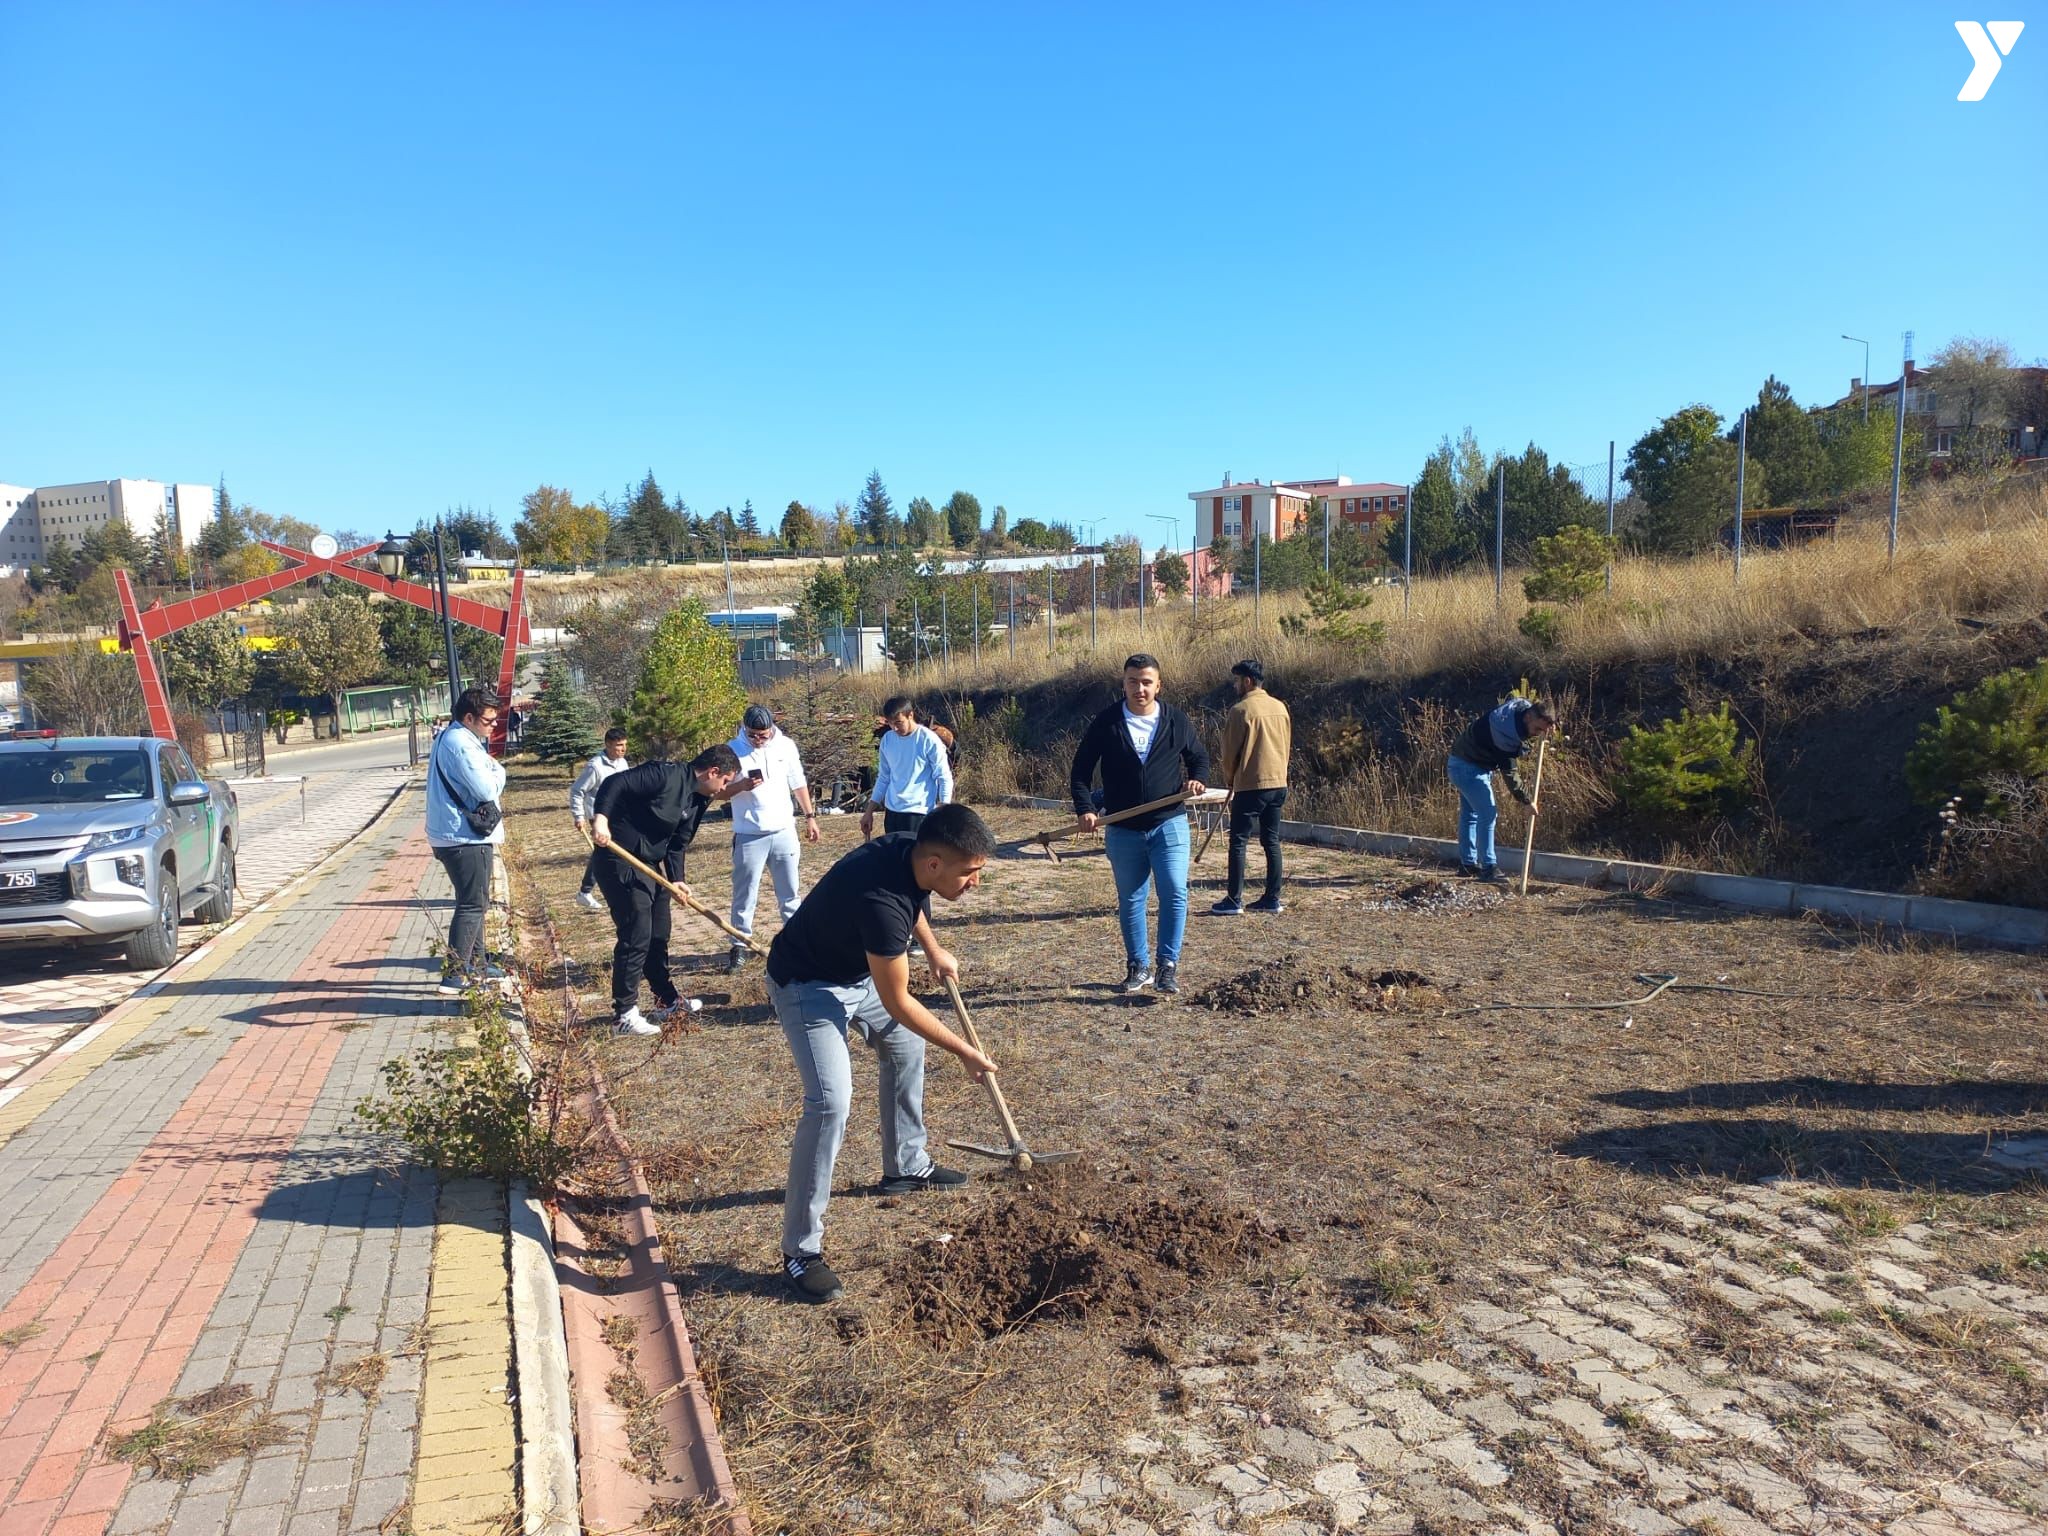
x=48 y=996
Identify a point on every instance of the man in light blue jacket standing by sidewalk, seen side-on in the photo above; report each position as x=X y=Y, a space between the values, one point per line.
x=462 y=779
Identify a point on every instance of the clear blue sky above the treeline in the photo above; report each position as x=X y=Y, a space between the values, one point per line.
x=376 y=261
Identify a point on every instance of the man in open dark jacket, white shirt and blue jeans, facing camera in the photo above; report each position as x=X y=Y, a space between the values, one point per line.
x=1146 y=751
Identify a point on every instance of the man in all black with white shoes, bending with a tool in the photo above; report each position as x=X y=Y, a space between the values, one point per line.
x=652 y=812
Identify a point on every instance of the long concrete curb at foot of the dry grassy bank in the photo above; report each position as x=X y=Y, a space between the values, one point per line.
x=1977 y=921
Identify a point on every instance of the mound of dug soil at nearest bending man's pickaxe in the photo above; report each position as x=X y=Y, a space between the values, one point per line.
x=1074 y=1246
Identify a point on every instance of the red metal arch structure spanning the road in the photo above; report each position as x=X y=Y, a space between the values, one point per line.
x=144 y=626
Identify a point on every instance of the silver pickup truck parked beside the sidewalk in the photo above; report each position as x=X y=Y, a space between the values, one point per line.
x=112 y=841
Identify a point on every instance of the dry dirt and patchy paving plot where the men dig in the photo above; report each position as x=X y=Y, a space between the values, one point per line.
x=1357 y=1248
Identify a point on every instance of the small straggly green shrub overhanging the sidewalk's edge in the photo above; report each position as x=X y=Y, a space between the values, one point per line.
x=468 y=1111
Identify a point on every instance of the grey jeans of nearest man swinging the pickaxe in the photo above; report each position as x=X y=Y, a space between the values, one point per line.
x=816 y=1017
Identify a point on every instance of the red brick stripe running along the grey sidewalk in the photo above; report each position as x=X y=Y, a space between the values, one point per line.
x=126 y=1295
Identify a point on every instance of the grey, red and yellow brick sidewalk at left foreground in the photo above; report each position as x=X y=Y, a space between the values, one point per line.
x=191 y=1205
